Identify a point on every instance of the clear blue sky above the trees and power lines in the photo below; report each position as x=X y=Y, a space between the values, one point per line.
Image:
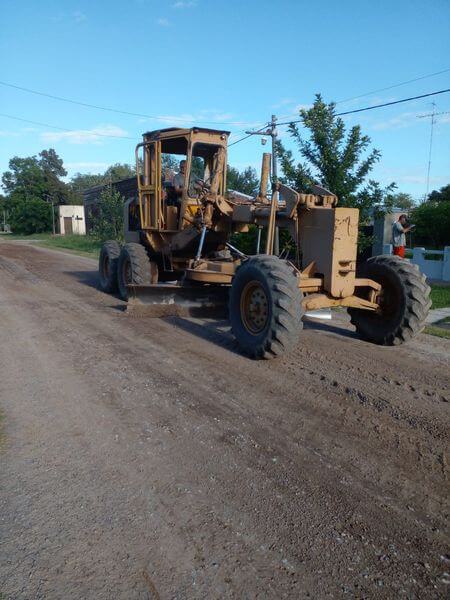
x=227 y=61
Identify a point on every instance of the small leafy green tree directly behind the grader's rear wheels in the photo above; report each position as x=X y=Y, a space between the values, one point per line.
x=108 y=218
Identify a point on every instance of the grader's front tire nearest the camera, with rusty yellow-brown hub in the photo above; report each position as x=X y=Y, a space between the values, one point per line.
x=272 y=279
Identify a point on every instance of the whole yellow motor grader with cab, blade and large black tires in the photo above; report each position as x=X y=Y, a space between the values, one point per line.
x=177 y=257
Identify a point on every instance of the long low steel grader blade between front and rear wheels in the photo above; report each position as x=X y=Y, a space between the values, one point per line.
x=169 y=300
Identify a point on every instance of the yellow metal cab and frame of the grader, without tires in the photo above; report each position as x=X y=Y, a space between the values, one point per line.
x=326 y=234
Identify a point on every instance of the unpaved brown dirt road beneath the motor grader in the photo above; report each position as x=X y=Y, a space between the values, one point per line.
x=146 y=458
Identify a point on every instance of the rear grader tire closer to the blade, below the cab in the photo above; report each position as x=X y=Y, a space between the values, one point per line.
x=134 y=268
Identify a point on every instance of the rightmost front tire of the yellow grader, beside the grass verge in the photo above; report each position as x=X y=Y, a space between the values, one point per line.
x=404 y=302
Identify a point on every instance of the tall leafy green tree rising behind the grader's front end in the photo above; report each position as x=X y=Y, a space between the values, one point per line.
x=340 y=160
